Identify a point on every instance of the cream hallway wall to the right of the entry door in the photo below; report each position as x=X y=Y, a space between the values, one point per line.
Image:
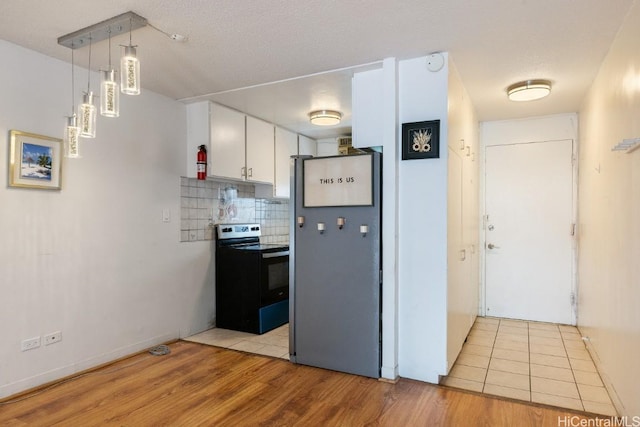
x=609 y=213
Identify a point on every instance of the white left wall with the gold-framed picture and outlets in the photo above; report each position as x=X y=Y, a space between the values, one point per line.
x=94 y=260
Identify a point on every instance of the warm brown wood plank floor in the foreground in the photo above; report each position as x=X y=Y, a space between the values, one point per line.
x=199 y=385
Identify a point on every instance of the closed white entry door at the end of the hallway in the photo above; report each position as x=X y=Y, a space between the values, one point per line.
x=528 y=231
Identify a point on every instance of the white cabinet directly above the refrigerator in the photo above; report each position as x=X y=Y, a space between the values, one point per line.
x=367 y=108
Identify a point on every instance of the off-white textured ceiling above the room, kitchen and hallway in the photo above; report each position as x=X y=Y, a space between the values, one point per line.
x=234 y=44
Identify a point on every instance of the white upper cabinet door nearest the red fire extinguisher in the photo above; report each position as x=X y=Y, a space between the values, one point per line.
x=227 y=148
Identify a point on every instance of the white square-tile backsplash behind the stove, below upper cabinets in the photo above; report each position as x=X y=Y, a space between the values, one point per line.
x=206 y=203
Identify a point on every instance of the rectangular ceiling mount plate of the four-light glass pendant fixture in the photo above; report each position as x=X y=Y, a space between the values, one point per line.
x=115 y=26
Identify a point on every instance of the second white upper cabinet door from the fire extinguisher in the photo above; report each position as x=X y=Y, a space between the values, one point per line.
x=260 y=151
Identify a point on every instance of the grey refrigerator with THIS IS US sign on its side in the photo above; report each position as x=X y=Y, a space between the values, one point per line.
x=335 y=263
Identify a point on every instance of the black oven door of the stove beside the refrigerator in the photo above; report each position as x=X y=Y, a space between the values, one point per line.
x=274 y=286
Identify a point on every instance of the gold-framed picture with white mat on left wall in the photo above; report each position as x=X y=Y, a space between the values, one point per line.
x=35 y=161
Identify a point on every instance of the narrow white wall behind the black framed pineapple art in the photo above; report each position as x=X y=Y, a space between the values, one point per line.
x=422 y=234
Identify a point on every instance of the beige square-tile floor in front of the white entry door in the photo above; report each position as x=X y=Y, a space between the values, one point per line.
x=532 y=361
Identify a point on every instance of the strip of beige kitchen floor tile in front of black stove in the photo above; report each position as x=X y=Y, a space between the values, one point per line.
x=274 y=343
